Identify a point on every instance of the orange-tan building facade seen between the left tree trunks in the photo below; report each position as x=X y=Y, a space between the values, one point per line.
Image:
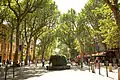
x=5 y=45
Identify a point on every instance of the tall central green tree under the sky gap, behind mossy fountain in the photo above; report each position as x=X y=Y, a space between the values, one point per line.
x=66 y=34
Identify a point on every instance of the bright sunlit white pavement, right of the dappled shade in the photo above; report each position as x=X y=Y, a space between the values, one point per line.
x=76 y=73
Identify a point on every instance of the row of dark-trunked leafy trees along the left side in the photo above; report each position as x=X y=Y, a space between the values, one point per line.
x=27 y=20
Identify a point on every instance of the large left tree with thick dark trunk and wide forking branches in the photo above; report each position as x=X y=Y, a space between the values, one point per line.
x=20 y=9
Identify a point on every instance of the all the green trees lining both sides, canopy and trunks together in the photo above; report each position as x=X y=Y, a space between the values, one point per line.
x=96 y=27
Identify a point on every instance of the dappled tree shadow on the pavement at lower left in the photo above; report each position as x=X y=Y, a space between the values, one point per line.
x=24 y=73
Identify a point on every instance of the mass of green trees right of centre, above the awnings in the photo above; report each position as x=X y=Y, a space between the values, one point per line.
x=93 y=29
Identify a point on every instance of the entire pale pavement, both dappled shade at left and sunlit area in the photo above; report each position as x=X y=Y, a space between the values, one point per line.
x=39 y=73
